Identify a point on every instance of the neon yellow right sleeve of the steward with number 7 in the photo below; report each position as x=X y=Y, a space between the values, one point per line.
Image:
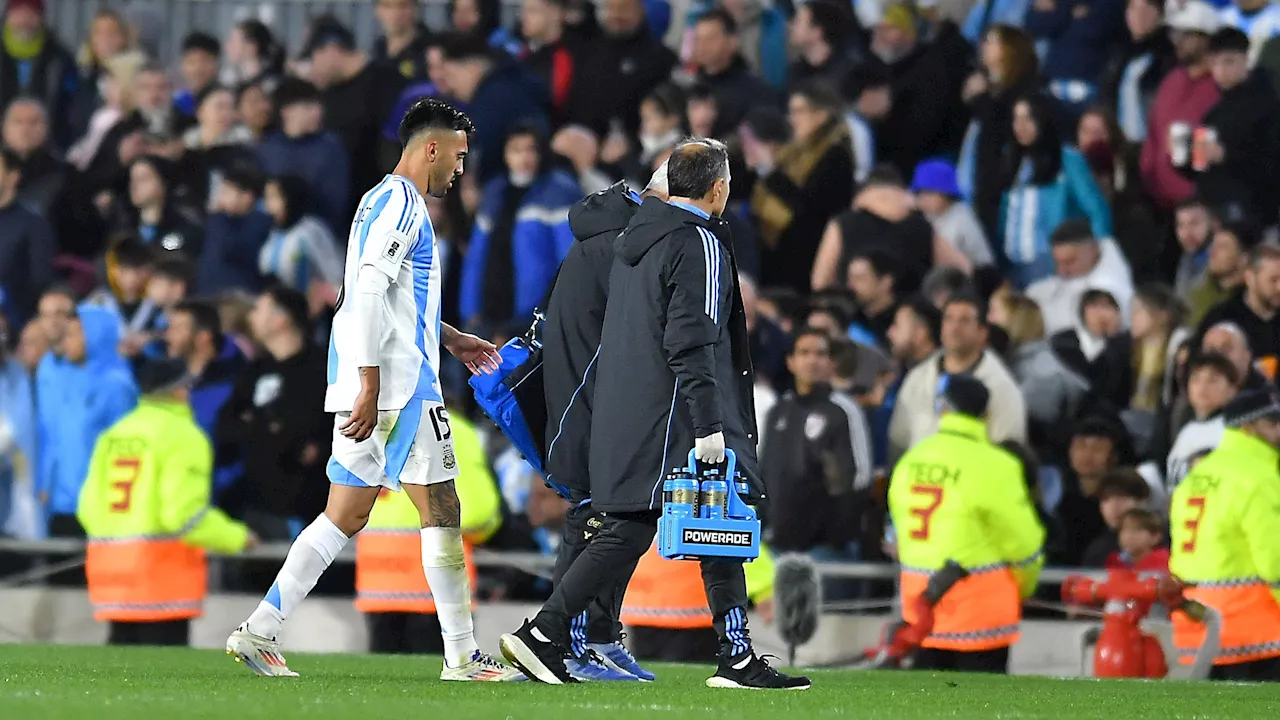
x=1014 y=525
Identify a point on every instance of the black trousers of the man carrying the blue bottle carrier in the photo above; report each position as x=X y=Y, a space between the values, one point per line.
x=611 y=557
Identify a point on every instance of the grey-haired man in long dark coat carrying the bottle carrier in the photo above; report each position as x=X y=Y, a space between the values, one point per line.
x=676 y=320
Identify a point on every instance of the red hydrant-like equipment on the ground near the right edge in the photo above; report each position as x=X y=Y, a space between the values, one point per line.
x=1123 y=650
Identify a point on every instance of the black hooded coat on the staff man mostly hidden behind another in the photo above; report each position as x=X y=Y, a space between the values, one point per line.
x=572 y=334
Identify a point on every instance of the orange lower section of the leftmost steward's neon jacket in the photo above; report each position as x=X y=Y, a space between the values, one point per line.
x=145 y=580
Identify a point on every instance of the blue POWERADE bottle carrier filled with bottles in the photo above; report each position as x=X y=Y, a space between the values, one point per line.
x=705 y=517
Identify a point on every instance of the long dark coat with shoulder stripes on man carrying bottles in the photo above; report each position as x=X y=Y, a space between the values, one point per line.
x=674 y=363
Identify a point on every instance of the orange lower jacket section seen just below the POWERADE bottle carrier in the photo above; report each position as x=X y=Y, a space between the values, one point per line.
x=666 y=594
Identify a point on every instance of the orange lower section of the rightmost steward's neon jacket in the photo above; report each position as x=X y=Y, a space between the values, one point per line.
x=1251 y=622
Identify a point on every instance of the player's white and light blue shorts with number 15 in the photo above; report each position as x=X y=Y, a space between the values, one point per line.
x=412 y=446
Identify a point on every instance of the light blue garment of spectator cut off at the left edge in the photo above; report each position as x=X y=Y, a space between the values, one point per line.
x=17 y=446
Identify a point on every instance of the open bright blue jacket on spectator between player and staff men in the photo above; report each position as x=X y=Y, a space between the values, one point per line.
x=540 y=240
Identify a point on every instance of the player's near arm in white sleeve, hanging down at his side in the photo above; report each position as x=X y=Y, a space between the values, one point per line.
x=386 y=248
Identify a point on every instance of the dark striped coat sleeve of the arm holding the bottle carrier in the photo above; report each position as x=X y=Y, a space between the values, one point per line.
x=694 y=317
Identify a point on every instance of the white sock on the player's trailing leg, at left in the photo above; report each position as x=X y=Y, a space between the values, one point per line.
x=309 y=558
